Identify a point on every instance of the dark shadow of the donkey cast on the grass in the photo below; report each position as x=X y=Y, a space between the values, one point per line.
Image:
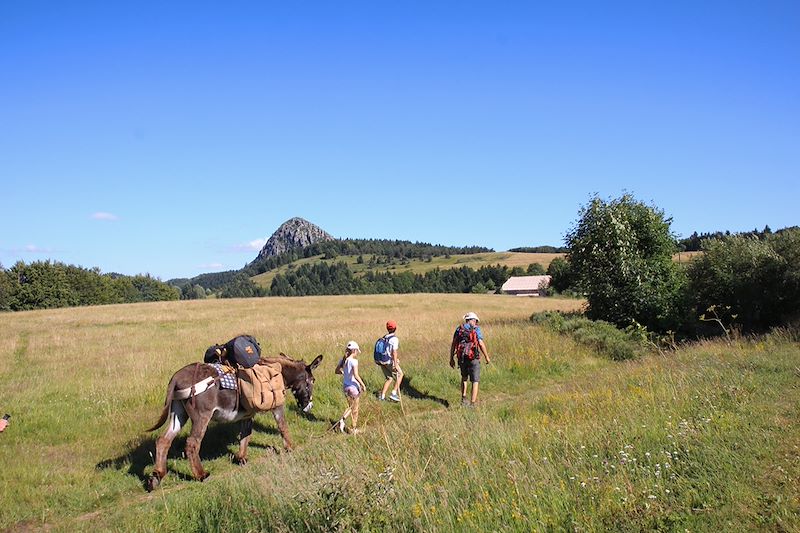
x=217 y=443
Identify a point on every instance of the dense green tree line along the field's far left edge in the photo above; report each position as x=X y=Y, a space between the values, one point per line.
x=46 y=285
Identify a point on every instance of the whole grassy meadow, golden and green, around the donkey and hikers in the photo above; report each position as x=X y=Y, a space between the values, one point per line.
x=564 y=439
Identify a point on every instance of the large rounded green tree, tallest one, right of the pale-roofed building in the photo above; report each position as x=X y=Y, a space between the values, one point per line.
x=620 y=252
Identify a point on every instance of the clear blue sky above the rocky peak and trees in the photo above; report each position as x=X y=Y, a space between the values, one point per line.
x=173 y=138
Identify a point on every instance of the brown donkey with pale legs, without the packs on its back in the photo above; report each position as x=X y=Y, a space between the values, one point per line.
x=214 y=403
